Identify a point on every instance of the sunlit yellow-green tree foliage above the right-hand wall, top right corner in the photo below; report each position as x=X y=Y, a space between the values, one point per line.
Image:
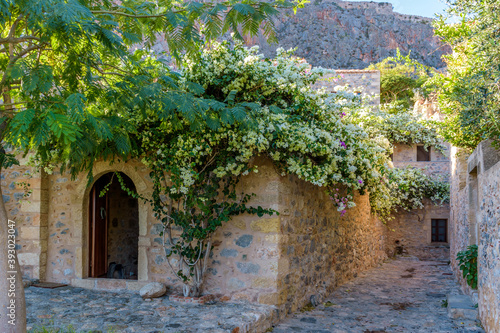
x=469 y=92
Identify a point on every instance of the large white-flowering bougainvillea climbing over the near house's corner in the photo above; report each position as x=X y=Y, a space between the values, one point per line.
x=251 y=106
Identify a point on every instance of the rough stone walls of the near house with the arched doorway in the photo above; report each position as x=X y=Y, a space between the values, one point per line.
x=282 y=259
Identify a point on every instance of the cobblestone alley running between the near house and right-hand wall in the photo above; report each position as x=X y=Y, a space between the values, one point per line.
x=399 y=296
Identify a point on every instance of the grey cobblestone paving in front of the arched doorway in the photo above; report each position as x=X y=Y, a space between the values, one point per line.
x=99 y=311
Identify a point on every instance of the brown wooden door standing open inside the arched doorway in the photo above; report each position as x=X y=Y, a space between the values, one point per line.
x=98 y=229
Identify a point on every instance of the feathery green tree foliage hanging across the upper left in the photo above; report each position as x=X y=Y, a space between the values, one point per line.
x=70 y=78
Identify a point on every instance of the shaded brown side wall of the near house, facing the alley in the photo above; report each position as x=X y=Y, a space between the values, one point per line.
x=320 y=249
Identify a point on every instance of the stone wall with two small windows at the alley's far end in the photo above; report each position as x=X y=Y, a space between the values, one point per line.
x=409 y=233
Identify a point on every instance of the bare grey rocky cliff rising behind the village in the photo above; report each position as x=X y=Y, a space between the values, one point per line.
x=351 y=35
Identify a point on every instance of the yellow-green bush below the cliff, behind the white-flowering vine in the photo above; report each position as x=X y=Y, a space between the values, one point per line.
x=401 y=79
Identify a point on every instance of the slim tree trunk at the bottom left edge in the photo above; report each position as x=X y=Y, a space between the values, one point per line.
x=12 y=302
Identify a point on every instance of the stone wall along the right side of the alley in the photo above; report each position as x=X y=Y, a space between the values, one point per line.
x=475 y=215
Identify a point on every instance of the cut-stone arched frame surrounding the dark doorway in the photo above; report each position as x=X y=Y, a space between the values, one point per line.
x=82 y=221
